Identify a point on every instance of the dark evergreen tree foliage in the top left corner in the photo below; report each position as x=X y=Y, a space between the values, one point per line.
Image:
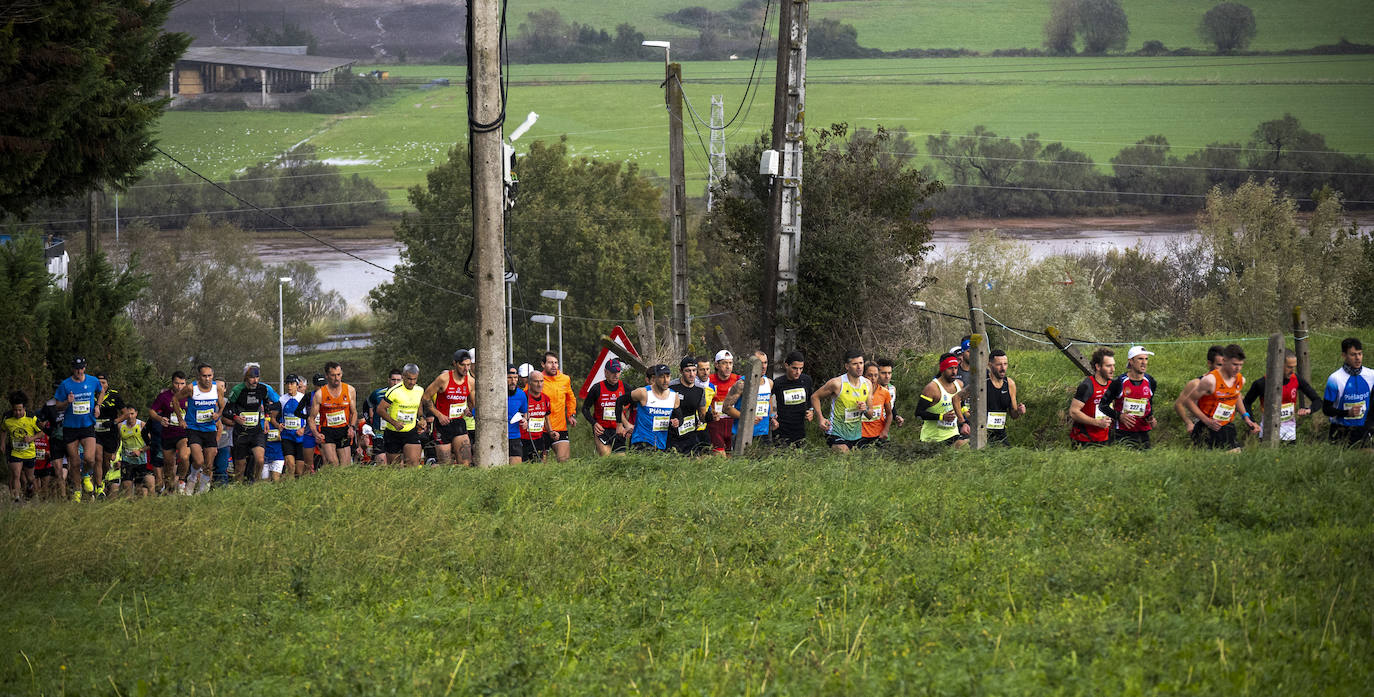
x=80 y=82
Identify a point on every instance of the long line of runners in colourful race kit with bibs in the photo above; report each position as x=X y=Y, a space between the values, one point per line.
x=89 y=441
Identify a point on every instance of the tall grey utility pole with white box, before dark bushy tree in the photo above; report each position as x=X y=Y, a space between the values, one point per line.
x=785 y=204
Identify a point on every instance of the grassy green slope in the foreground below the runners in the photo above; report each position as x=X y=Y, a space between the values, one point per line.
x=1012 y=573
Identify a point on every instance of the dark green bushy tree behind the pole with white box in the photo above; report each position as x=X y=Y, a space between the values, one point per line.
x=866 y=233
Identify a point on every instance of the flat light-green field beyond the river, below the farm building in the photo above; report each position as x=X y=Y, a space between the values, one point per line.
x=615 y=111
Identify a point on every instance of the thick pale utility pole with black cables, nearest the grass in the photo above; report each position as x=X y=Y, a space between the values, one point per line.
x=488 y=233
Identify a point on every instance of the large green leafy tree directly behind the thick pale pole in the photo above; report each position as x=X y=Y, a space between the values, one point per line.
x=589 y=228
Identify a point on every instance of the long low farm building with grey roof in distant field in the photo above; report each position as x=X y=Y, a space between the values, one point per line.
x=262 y=71
